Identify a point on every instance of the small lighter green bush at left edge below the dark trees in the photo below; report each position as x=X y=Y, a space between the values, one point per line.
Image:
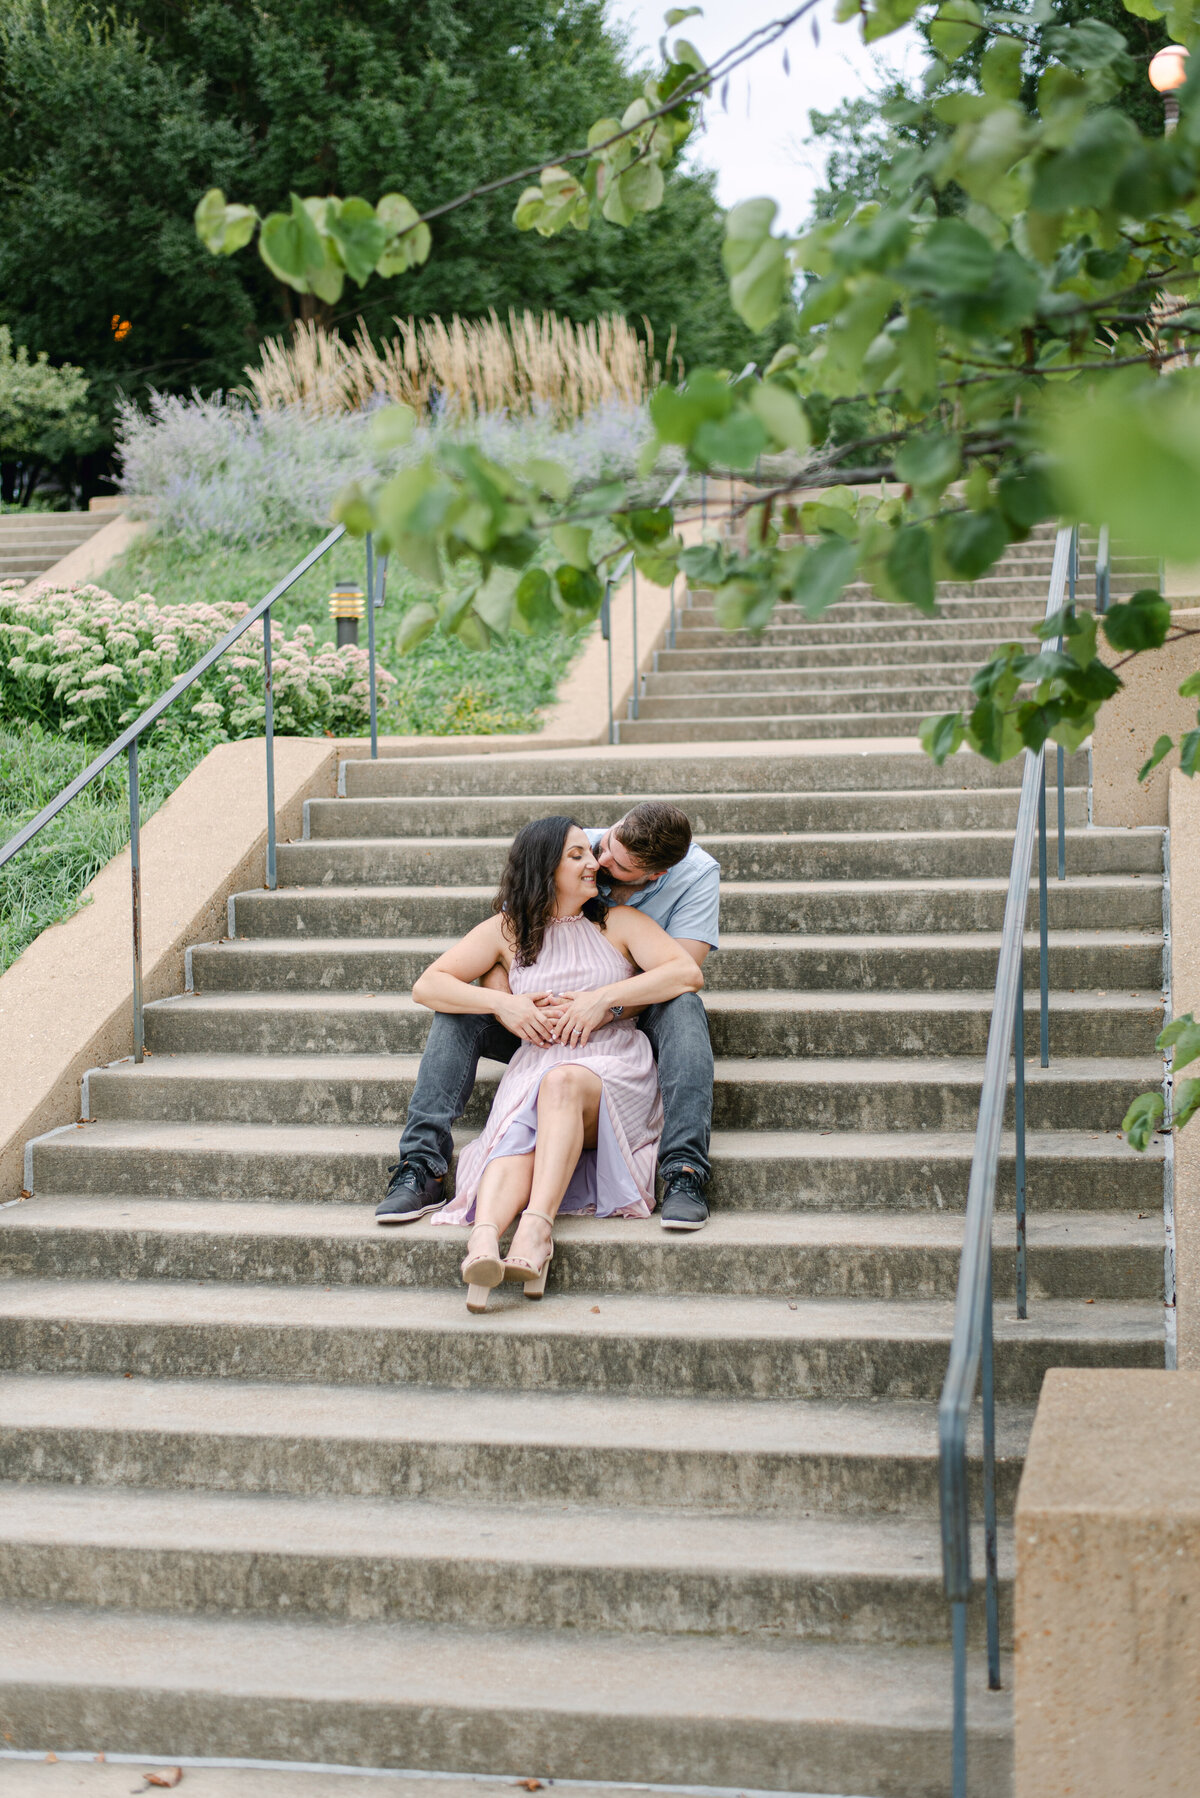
x=46 y=418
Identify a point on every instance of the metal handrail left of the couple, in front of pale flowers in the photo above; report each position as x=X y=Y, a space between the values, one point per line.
x=129 y=742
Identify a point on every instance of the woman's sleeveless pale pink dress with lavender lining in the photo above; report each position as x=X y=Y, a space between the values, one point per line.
x=618 y=1177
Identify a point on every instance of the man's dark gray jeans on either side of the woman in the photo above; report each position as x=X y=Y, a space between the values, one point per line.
x=679 y=1037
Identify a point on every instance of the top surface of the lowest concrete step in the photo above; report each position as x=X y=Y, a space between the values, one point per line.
x=415 y=1666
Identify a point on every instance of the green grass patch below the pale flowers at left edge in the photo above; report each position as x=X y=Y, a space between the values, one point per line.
x=44 y=884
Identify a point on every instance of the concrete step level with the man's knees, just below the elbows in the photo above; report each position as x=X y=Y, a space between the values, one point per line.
x=740 y=1024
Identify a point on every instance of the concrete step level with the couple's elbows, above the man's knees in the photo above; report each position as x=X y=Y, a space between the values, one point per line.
x=1095 y=959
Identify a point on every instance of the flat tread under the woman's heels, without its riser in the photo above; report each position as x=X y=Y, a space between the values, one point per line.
x=659 y=1317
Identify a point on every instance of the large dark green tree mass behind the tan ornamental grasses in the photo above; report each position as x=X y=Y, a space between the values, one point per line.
x=166 y=100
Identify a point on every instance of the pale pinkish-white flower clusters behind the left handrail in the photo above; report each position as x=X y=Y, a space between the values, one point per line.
x=85 y=664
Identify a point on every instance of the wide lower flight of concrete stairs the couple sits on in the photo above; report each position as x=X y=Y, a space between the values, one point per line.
x=267 y=1490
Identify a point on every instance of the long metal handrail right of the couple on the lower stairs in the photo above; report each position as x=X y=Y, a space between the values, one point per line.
x=972 y=1342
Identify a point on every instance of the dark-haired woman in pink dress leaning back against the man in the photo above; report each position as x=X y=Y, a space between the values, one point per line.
x=577 y=1119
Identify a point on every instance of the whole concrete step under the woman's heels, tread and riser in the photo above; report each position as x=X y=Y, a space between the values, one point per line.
x=713 y=1346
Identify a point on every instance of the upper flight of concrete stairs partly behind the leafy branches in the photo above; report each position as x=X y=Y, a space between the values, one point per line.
x=866 y=670
